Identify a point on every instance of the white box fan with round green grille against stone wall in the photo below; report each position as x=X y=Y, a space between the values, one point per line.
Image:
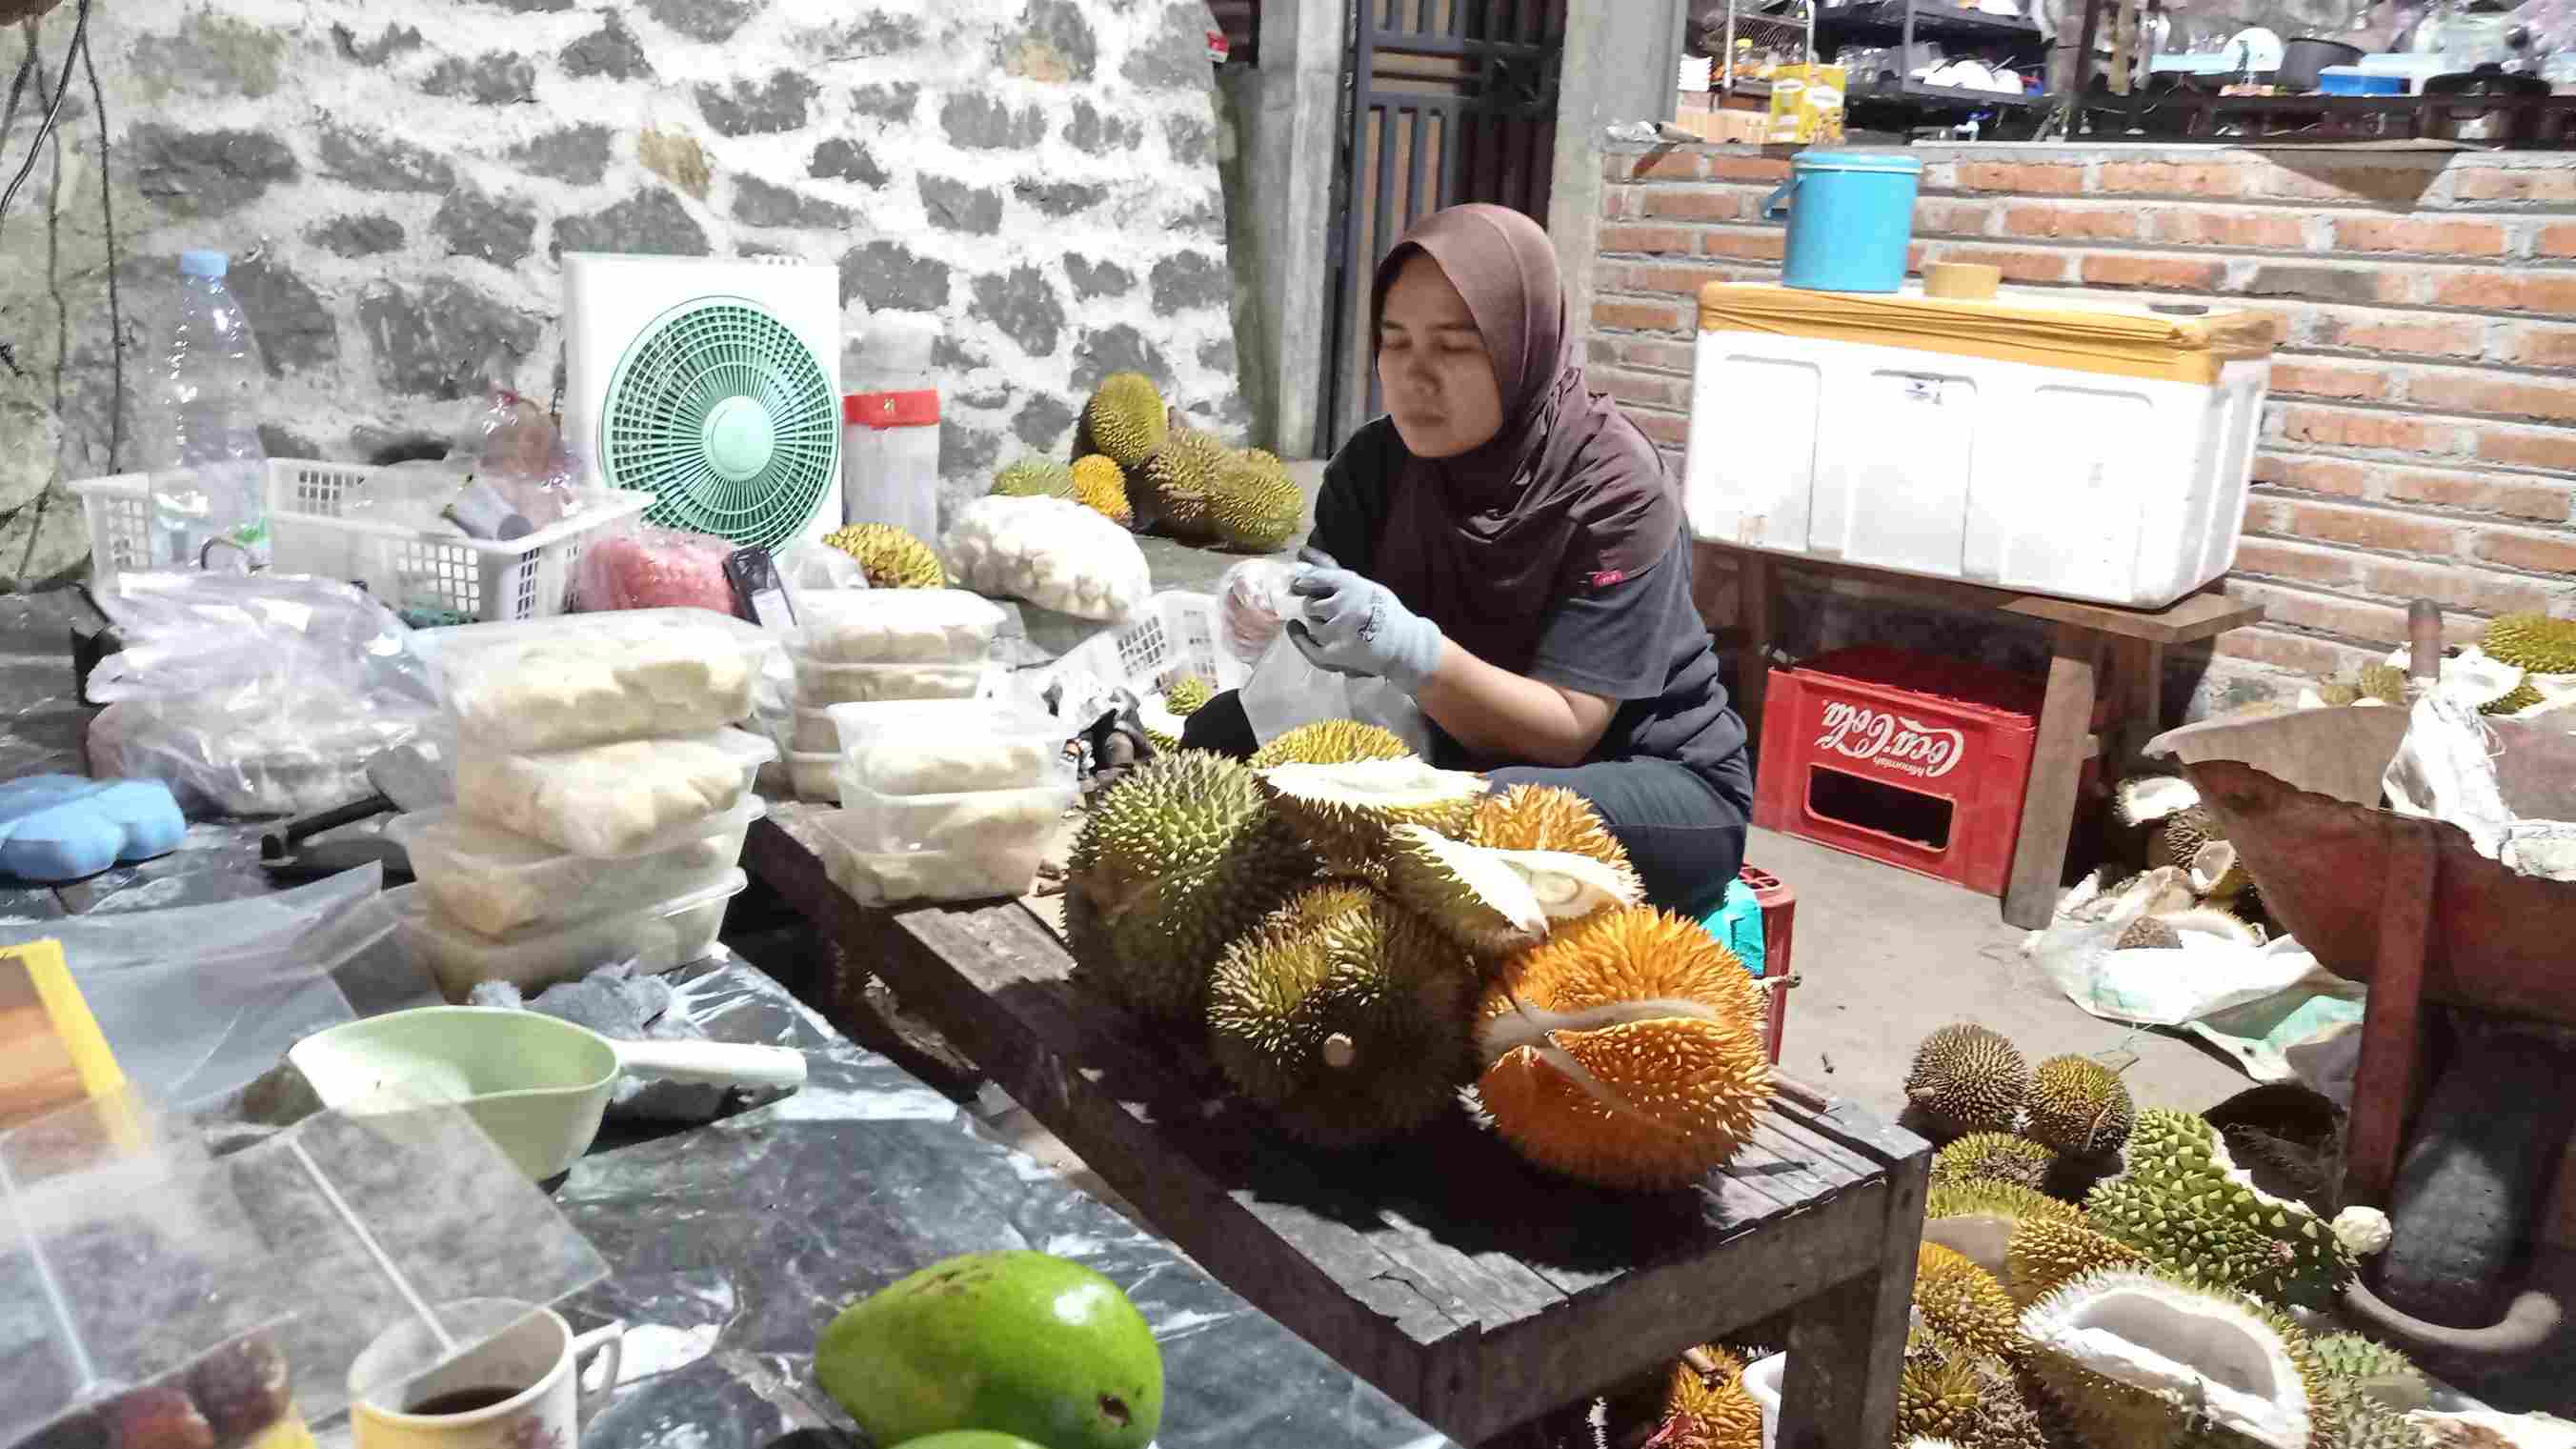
x=710 y=383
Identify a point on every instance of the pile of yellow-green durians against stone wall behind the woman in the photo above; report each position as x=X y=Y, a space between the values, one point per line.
x=1140 y=468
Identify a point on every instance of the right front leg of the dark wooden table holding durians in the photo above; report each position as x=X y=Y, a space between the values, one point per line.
x=1848 y=1345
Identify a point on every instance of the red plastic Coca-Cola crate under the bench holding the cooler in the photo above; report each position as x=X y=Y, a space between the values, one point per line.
x=1905 y=759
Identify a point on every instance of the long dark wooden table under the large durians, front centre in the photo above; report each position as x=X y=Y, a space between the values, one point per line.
x=1467 y=1285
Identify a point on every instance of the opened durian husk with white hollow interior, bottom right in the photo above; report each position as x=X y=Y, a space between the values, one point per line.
x=2199 y=1365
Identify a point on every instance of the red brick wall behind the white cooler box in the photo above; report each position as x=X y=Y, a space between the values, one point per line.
x=2423 y=422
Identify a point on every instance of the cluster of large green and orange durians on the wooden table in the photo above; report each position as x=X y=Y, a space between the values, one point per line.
x=1364 y=937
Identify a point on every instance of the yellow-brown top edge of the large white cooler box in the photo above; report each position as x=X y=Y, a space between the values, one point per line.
x=2075 y=331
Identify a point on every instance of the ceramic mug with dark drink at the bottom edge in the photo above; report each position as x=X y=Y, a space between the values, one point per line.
x=529 y=1355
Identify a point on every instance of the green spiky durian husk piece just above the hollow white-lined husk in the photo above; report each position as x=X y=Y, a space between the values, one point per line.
x=2188 y=1208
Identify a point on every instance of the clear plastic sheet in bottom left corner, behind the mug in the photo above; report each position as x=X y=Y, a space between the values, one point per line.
x=135 y=1262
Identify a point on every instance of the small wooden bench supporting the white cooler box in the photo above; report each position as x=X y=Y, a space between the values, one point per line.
x=2080 y=641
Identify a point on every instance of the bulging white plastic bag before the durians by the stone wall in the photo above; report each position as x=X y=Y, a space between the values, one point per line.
x=1052 y=553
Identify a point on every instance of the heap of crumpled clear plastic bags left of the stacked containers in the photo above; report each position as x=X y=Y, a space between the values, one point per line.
x=254 y=695
